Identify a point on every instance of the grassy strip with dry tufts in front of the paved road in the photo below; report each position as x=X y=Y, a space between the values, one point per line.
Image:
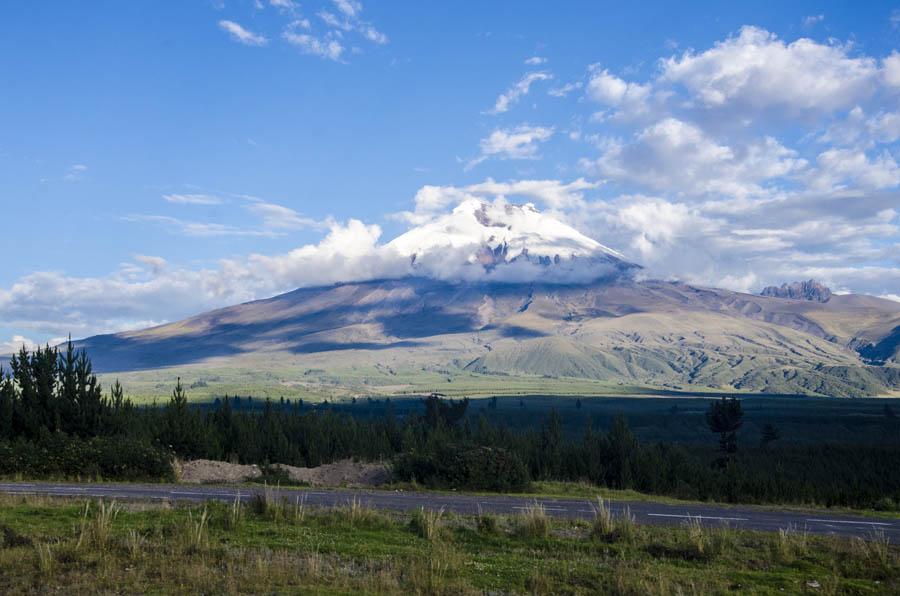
x=275 y=547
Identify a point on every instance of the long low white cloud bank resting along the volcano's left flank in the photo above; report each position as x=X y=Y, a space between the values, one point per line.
x=142 y=294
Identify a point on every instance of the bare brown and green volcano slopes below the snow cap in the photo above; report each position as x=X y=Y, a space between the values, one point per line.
x=656 y=334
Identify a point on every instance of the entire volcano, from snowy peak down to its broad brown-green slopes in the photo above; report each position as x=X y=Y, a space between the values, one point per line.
x=503 y=297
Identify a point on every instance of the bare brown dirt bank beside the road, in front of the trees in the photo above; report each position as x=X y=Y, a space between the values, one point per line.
x=342 y=473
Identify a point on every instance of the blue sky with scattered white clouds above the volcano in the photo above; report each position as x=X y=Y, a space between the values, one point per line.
x=161 y=158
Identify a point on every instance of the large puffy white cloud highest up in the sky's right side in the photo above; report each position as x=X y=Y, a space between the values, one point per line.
x=756 y=71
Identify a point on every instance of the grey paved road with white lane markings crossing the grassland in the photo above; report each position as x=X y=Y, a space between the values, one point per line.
x=646 y=513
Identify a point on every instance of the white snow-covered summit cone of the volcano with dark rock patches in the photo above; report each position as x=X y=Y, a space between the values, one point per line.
x=508 y=241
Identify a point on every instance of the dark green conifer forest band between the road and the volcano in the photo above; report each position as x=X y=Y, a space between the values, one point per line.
x=56 y=421
